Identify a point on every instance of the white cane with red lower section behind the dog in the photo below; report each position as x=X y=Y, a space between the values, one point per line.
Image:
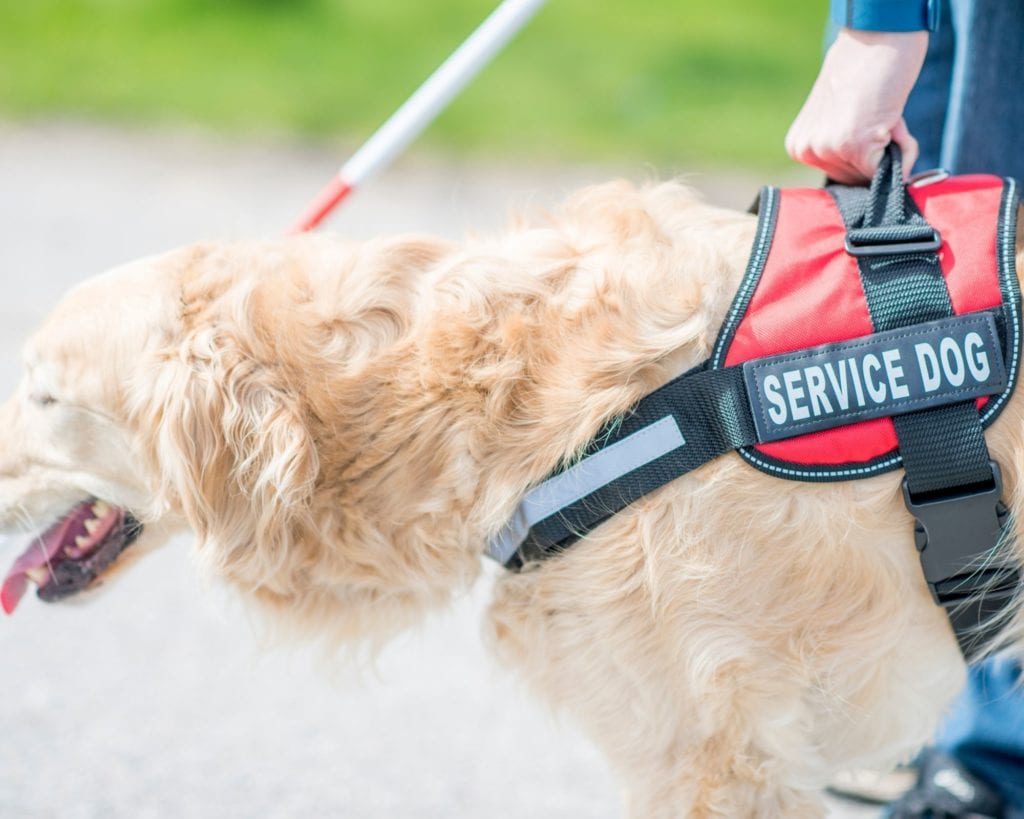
x=422 y=108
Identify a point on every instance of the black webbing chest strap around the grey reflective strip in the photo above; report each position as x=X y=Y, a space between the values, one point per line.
x=714 y=416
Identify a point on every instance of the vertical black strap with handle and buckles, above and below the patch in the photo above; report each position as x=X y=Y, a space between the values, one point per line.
x=953 y=488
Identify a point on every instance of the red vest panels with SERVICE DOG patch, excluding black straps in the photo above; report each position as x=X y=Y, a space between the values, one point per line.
x=803 y=290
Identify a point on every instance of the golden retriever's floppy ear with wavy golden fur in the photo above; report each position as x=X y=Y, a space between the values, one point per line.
x=236 y=451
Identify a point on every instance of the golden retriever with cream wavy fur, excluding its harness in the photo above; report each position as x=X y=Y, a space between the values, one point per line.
x=345 y=426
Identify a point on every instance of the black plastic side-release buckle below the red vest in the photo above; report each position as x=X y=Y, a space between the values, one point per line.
x=954 y=532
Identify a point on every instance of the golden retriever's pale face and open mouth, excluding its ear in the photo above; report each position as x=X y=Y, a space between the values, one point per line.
x=71 y=470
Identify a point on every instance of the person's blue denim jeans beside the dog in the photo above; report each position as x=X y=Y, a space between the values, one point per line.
x=967 y=112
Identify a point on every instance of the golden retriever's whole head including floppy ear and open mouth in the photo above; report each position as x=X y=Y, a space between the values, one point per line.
x=139 y=409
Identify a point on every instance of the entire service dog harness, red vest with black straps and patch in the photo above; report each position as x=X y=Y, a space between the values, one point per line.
x=928 y=370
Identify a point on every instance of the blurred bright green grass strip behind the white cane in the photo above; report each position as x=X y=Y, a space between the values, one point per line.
x=665 y=81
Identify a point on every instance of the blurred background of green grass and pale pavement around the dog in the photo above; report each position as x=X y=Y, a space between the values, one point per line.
x=132 y=126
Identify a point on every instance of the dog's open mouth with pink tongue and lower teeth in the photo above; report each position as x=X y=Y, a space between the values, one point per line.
x=71 y=554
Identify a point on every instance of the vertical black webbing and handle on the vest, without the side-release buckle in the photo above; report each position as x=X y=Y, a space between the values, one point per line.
x=944 y=448
